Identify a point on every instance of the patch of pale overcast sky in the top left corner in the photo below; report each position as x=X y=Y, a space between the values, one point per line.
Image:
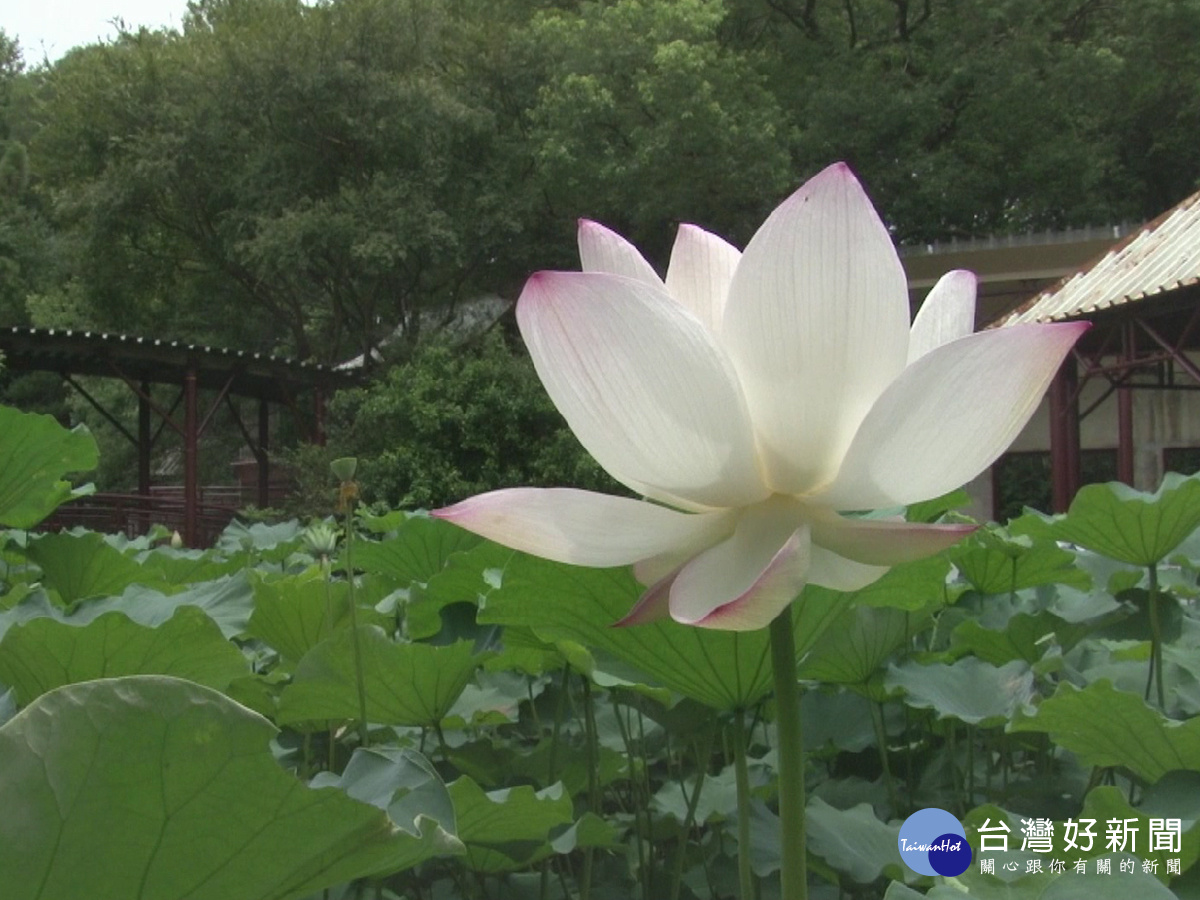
x=51 y=28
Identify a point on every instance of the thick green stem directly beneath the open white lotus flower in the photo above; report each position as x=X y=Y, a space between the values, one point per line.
x=794 y=873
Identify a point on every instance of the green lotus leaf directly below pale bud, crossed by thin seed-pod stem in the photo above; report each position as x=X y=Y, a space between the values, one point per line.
x=297 y=613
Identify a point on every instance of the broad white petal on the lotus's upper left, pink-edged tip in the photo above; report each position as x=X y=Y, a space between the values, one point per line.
x=645 y=388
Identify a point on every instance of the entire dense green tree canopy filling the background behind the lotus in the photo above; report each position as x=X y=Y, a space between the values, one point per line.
x=314 y=179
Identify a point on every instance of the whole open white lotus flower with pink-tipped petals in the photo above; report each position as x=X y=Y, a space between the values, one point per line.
x=753 y=398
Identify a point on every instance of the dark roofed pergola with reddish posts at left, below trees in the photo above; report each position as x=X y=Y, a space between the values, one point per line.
x=141 y=363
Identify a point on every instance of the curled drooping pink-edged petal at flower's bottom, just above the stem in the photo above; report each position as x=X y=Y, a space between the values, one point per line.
x=743 y=583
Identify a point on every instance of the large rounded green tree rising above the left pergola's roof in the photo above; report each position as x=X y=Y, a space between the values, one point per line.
x=280 y=177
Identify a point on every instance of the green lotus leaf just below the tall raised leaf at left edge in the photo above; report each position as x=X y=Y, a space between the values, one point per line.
x=85 y=566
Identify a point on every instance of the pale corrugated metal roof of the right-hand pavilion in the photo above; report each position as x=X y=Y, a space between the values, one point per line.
x=1162 y=256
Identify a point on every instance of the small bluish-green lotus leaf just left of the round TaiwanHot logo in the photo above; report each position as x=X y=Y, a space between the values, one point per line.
x=855 y=842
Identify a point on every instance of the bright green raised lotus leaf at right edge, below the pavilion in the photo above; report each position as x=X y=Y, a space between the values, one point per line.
x=1132 y=526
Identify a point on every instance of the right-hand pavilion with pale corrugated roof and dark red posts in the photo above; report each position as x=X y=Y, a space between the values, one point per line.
x=1143 y=299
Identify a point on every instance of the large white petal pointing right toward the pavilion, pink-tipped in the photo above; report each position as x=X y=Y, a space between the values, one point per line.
x=950 y=416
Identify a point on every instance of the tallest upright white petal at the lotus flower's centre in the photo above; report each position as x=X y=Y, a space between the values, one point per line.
x=818 y=327
